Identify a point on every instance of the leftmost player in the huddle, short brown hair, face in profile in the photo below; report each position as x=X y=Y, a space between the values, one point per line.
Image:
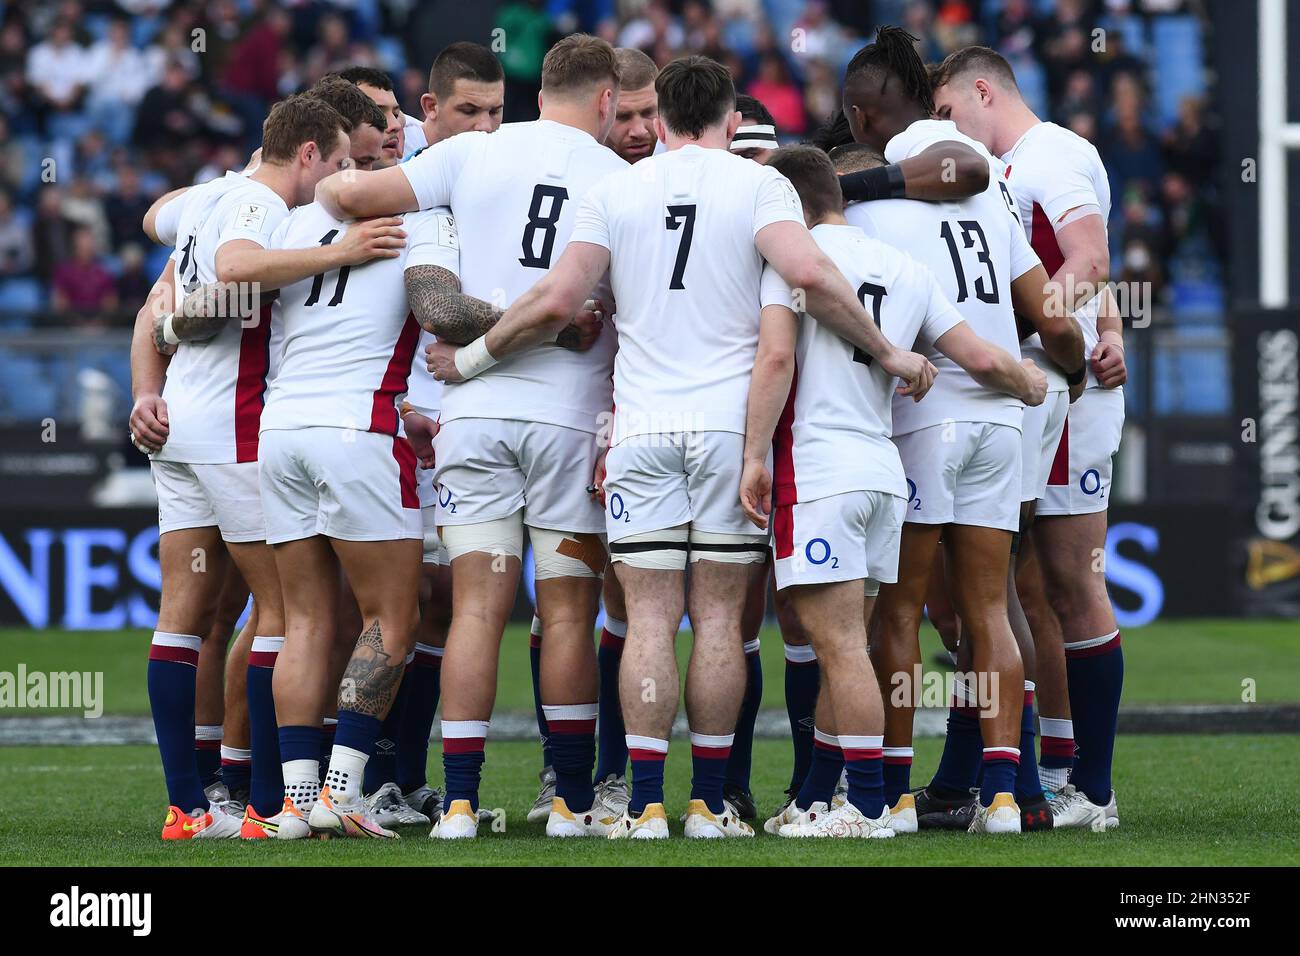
x=207 y=470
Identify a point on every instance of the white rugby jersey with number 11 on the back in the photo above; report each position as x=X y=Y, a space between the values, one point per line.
x=349 y=335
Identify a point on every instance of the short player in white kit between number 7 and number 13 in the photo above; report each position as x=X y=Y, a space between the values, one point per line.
x=840 y=490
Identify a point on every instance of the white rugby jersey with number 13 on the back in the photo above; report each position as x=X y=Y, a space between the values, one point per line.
x=976 y=249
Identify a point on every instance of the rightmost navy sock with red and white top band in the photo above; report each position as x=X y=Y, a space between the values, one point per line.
x=1097 y=676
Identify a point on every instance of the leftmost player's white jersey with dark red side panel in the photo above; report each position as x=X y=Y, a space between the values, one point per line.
x=215 y=390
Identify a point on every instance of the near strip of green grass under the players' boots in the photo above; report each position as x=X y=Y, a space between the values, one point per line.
x=1184 y=801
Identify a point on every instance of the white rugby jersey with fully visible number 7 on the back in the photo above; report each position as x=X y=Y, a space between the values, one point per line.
x=686 y=274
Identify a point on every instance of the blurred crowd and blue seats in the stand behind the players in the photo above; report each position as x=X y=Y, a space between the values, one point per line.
x=106 y=105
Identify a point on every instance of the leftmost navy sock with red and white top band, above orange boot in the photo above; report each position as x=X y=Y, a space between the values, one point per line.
x=172 y=671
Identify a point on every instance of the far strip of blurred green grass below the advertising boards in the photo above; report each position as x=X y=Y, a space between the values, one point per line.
x=1167 y=663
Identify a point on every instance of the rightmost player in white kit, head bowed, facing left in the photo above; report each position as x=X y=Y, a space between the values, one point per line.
x=1064 y=202
